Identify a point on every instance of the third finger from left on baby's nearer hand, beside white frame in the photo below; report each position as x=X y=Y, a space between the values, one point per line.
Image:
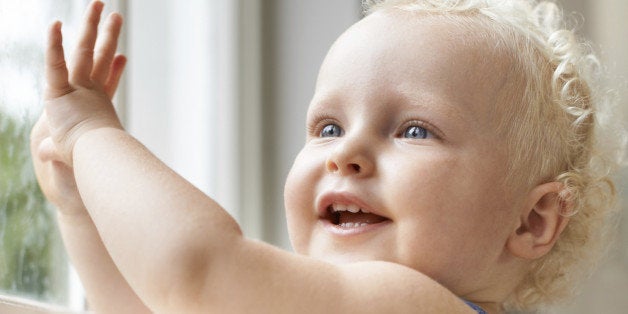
x=107 y=46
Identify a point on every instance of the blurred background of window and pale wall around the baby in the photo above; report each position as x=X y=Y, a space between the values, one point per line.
x=218 y=90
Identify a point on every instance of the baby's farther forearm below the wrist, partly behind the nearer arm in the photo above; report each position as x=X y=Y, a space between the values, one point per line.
x=107 y=291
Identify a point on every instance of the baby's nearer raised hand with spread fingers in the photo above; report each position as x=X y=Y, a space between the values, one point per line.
x=79 y=100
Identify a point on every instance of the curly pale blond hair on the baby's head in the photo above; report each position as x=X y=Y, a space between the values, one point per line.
x=560 y=125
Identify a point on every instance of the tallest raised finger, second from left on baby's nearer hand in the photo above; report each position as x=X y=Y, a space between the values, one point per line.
x=83 y=57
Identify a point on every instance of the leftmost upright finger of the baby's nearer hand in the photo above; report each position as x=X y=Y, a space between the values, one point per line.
x=55 y=68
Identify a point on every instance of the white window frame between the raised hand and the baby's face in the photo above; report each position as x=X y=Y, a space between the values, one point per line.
x=185 y=59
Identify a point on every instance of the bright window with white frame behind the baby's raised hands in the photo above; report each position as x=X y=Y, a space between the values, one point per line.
x=33 y=264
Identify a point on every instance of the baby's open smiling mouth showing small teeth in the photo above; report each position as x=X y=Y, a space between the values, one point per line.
x=351 y=216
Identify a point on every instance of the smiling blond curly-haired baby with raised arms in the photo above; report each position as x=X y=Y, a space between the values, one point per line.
x=452 y=165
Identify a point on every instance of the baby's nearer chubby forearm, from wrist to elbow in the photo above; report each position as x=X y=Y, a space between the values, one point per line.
x=161 y=231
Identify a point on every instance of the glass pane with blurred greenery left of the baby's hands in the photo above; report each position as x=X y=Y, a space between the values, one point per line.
x=32 y=260
